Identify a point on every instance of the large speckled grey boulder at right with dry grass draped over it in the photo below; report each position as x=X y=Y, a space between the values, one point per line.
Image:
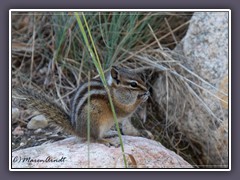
x=201 y=113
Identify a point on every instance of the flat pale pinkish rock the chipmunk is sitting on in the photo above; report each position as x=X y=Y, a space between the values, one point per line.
x=72 y=153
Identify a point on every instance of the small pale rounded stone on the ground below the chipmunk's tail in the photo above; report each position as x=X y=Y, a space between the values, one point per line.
x=37 y=122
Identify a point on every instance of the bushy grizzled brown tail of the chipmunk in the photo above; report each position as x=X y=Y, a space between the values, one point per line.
x=45 y=105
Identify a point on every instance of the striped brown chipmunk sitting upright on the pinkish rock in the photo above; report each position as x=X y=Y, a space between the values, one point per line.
x=127 y=91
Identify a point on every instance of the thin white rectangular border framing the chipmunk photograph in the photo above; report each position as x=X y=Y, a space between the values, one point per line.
x=112 y=10
